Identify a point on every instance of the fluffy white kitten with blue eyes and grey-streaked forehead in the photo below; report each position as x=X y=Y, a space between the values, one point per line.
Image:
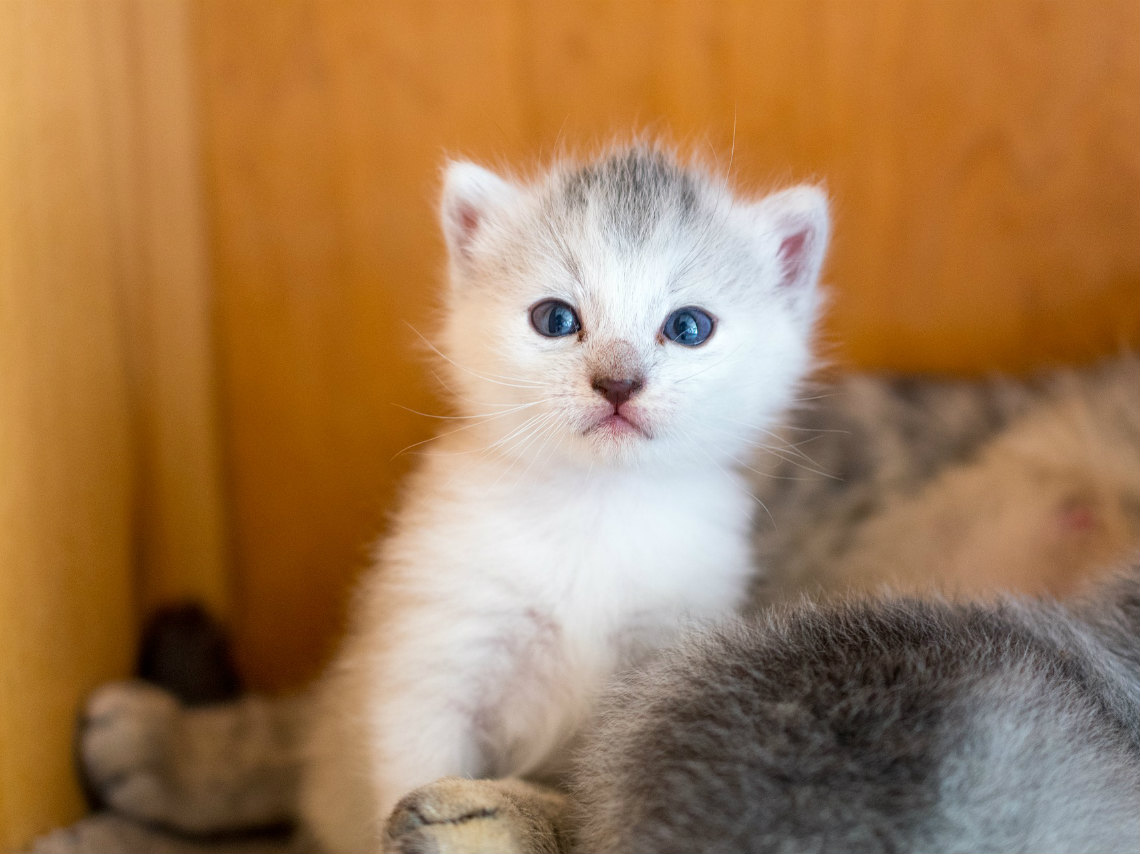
x=617 y=336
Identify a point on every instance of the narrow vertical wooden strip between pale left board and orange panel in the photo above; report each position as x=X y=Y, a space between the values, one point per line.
x=182 y=539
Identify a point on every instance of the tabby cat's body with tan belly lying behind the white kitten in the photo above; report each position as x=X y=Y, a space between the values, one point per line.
x=965 y=487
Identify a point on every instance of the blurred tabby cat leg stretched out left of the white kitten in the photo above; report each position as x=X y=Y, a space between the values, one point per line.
x=202 y=770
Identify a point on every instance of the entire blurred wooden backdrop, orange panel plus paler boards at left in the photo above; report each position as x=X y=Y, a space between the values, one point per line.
x=216 y=216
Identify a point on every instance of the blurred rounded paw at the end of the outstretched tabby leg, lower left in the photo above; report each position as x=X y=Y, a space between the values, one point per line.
x=125 y=744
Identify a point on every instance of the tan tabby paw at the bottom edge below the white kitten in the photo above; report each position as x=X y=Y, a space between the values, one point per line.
x=477 y=817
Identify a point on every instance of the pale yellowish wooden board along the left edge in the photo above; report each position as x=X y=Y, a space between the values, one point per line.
x=66 y=587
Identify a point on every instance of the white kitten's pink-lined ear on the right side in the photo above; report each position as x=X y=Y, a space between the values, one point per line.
x=795 y=226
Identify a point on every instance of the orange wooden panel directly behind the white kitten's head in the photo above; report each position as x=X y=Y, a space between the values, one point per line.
x=982 y=158
